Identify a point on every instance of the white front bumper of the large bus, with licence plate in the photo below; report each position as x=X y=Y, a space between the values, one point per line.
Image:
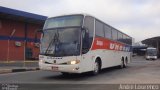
x=60 y=68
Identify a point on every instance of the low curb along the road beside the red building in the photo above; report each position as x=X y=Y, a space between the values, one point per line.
x=3 y=71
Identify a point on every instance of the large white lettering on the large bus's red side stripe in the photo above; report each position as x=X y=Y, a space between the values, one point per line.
x=114 y=46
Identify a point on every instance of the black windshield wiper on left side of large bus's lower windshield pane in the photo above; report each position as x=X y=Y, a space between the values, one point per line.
x=54 y=40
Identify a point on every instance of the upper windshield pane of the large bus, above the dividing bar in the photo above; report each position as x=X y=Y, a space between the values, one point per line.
x=64 y=21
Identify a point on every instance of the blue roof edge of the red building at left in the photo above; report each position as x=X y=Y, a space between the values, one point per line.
x=21 y=15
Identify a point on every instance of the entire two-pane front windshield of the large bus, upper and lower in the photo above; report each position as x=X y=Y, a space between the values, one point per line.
x=61 y=36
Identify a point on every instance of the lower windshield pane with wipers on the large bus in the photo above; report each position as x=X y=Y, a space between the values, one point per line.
x=61 y=42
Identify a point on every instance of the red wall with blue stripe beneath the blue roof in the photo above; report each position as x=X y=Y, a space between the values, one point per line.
x=23 y=31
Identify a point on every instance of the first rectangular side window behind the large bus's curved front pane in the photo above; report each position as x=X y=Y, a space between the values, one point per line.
x=99 y=29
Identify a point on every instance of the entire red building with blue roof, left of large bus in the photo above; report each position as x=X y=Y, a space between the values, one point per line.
x=17 y=34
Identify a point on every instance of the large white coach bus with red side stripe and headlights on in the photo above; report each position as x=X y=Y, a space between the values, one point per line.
x=80 y=43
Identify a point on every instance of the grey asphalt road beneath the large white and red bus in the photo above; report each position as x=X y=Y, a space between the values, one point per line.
x=139 y=71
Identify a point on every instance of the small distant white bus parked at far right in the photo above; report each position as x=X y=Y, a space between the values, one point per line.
x=151 y=53
